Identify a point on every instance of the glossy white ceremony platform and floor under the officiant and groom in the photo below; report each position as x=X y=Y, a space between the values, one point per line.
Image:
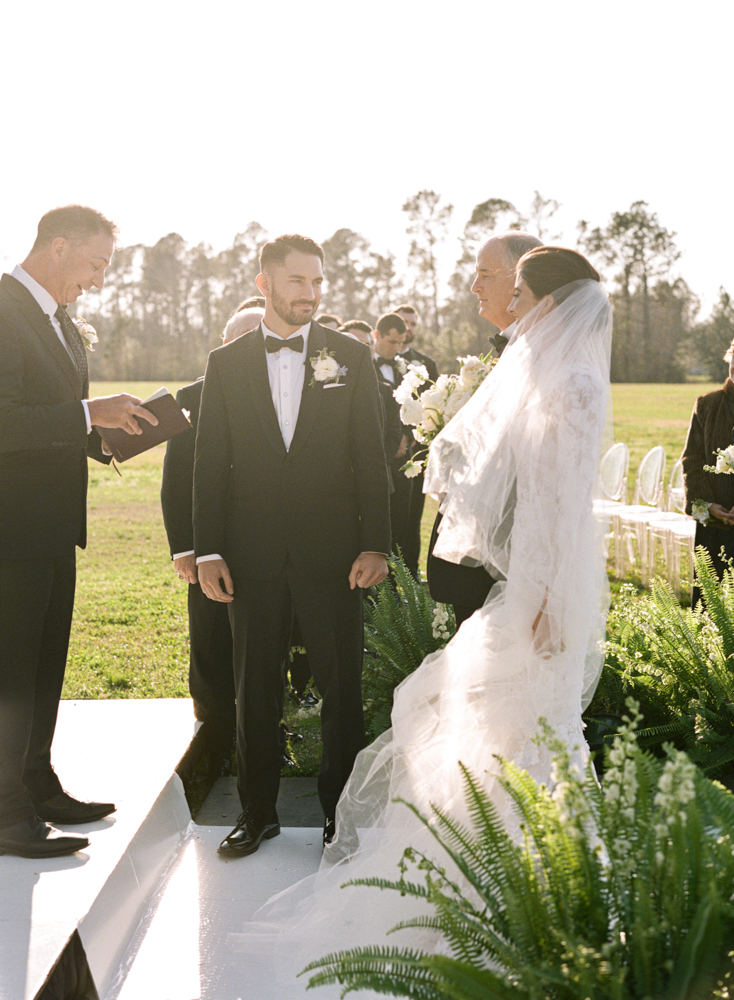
x=151 y=900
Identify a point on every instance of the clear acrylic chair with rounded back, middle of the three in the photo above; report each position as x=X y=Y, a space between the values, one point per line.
x=630 y=520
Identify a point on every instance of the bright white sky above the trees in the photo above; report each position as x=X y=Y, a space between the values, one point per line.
x=311 y=116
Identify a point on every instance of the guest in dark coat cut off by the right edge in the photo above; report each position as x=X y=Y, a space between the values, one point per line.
x=712 y=427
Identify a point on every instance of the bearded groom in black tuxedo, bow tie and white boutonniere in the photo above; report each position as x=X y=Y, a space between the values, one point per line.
x=291 y=519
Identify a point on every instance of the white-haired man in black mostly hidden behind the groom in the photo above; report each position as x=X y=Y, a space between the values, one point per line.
x=211 y=677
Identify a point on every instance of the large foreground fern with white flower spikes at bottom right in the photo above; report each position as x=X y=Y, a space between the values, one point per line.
x=618 y=892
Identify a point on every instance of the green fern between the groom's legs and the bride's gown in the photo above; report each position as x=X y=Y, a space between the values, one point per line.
x=403 y=624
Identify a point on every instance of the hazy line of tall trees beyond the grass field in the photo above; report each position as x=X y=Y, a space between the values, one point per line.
x=163 y=307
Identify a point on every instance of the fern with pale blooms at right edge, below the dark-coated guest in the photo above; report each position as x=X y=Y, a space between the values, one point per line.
x=683 y=662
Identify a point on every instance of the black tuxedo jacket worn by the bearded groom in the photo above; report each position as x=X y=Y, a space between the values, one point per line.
x=318 y=504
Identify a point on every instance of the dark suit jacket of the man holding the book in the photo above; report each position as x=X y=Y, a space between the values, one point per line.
x=43 y=434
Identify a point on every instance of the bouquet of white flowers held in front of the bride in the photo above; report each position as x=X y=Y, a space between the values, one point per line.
x=428 y=406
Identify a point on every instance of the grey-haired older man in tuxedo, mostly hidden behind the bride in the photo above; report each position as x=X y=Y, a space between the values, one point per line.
x=466 y=587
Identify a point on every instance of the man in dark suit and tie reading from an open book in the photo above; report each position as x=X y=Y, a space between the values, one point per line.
x=47 y=430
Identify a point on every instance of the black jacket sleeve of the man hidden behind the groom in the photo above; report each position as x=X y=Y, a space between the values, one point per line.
x=178 y=475
